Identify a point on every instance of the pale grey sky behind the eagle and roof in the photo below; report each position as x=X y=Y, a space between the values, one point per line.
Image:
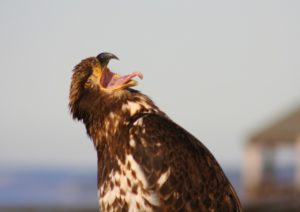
x=220 y=69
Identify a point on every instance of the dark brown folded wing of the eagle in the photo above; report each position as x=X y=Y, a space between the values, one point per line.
x=195 y=180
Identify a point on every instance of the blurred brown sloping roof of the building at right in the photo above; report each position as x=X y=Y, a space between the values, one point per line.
x=285 y=130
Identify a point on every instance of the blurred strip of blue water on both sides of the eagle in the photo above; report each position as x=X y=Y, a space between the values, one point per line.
x=40 y=187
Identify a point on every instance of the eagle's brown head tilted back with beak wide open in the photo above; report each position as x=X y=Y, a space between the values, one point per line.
x=92 y=77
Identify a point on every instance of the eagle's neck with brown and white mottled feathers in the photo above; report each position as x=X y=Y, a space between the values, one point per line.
x=112 y=121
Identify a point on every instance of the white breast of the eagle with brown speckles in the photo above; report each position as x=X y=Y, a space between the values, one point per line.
x=127 y=187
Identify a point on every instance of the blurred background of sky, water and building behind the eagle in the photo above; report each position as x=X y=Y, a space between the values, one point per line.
x=227 y=71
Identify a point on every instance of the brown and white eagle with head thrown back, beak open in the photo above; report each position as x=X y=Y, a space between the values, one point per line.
x=145 y=161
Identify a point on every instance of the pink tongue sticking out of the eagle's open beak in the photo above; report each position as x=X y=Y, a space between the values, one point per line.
x=115 y=80
